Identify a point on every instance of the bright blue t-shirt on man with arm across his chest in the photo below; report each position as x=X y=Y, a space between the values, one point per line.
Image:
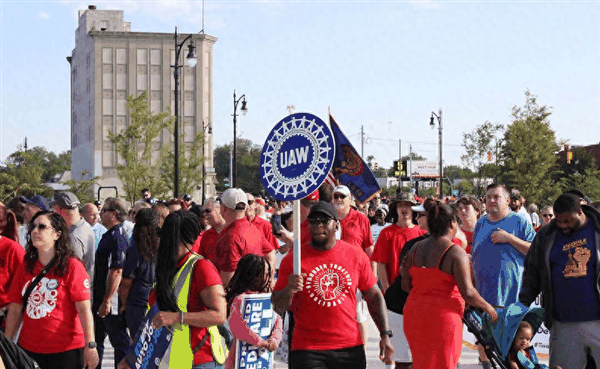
x=499 y=267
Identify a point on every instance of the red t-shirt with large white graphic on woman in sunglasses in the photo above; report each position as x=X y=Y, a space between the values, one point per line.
x=50 y=316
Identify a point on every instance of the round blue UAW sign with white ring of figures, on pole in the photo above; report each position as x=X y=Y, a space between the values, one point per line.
x=297 y=156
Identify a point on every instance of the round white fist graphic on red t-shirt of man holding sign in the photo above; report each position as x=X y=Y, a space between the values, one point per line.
x=328 y=284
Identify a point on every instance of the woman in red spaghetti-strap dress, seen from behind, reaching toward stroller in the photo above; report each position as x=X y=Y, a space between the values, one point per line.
x=438 y=276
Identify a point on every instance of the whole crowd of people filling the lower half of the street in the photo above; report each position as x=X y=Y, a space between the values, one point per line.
x=72 y=274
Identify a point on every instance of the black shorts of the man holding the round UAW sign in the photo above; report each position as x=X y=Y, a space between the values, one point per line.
x=347 y=358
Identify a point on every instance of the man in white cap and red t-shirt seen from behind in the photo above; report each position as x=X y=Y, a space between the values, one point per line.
x=239 y=237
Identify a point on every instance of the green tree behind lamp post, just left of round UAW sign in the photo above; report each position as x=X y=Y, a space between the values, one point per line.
x=248 y=161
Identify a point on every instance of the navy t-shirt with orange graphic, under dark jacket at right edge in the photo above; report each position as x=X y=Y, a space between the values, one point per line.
x=573 y=267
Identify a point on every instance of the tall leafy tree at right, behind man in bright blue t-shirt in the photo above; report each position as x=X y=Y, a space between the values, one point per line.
x=528 y=151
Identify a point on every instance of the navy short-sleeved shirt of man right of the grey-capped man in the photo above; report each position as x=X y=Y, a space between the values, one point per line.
x=110 y=254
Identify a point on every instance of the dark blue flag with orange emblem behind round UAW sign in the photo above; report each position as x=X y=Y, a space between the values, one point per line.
x=350 y=169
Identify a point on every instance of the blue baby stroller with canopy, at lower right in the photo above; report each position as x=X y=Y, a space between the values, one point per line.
x=497 y=338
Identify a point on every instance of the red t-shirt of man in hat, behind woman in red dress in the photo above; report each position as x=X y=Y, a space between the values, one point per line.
x=389 y=244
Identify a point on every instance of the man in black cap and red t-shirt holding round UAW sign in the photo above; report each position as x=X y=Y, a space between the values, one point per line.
x=323 y=298
